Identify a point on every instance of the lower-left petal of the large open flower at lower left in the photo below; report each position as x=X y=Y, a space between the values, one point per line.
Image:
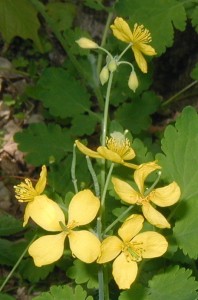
x=47 y=249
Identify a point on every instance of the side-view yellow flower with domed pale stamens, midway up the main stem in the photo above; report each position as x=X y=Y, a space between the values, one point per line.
x=117 y=150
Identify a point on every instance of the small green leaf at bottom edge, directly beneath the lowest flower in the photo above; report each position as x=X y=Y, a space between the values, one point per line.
x=136 y=291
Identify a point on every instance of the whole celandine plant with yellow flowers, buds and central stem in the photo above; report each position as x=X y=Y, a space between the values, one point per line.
x=117 y=247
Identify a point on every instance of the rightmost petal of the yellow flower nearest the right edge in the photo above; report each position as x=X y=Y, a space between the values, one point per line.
x=166 y=196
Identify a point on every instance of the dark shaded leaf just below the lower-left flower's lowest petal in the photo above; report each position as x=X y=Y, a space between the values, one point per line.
x=32 y=273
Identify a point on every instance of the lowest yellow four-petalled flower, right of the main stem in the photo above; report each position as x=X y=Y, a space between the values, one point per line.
x=130 y=249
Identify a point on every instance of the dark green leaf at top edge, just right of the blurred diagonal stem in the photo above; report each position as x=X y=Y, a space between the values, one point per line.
x=62 y=13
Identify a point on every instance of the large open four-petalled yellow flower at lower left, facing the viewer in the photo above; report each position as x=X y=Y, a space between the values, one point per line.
x=83 y=244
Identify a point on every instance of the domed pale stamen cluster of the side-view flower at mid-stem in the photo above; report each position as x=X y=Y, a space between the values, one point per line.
x=118 y=144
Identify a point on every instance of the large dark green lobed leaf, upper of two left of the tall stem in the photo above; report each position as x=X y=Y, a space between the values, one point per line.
x=62 y=94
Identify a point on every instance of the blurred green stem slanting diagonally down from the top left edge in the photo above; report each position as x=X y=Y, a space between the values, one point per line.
x=81 y=71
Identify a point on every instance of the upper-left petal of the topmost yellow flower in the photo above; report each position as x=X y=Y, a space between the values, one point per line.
x=121 y=30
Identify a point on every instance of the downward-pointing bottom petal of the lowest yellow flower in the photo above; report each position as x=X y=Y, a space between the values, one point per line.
x=124 y=272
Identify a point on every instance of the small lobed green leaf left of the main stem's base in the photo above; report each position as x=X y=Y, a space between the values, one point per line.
x=82 y=273
